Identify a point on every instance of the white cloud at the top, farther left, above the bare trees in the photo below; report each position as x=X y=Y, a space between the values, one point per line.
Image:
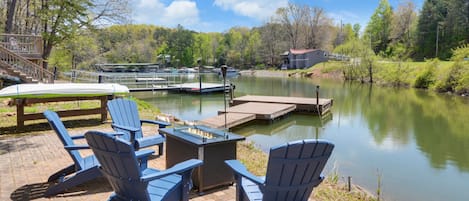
x=184 y=12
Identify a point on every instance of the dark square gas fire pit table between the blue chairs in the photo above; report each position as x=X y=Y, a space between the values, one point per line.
x=210 y=145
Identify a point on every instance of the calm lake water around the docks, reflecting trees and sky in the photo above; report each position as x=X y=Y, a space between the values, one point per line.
x=417 y=141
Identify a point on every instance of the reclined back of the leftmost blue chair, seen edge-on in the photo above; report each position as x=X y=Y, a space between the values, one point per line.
x=59 y=128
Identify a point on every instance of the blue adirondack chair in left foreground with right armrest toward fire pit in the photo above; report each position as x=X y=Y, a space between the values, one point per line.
x=129 y=182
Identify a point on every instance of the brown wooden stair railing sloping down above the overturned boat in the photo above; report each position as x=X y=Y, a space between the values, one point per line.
x=18 y=63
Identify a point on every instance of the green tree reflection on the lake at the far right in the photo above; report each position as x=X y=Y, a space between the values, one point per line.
x=434 y=121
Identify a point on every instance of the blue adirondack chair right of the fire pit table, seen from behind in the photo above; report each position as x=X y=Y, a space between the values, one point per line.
x=293 y=170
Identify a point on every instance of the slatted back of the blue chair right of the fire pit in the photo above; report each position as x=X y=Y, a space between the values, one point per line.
x=295 y=169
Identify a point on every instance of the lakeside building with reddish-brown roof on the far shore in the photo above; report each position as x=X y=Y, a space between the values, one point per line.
x=303 y=58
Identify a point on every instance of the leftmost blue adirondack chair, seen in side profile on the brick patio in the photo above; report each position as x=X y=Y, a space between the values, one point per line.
x=85 y=168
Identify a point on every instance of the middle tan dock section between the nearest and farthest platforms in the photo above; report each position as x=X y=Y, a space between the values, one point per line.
x=264 y=111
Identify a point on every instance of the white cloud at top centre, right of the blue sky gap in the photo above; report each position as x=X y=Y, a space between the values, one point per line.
x=258 y=9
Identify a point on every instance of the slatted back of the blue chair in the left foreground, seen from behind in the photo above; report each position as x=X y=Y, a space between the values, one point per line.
x=119 y=164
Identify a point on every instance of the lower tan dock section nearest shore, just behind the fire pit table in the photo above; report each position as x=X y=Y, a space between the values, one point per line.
x=232 y=120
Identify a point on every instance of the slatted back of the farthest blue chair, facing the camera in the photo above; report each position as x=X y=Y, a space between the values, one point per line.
x=125 y=112
